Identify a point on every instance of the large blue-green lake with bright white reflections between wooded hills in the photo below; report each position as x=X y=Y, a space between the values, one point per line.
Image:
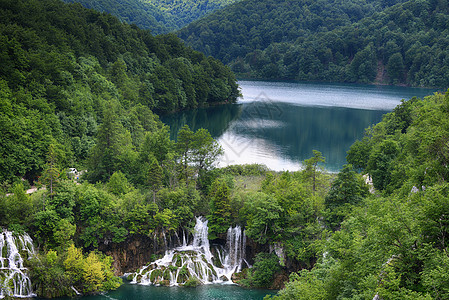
x=279 y=123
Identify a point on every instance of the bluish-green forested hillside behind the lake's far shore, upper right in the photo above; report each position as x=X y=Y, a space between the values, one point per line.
x=364 y=41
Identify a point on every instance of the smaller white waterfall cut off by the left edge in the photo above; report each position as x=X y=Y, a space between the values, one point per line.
x=14 y=281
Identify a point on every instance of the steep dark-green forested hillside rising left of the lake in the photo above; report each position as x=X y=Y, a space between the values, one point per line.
x=64 y=68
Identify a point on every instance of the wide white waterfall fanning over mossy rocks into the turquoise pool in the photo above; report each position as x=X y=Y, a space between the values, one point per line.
x=196 y=261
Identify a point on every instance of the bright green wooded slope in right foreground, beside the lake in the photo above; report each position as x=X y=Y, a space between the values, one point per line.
x=392 y=244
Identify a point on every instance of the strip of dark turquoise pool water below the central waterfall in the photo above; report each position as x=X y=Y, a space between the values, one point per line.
x=206 y=292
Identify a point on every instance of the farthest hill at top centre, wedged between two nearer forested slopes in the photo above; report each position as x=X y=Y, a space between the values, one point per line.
x=158 y=16
